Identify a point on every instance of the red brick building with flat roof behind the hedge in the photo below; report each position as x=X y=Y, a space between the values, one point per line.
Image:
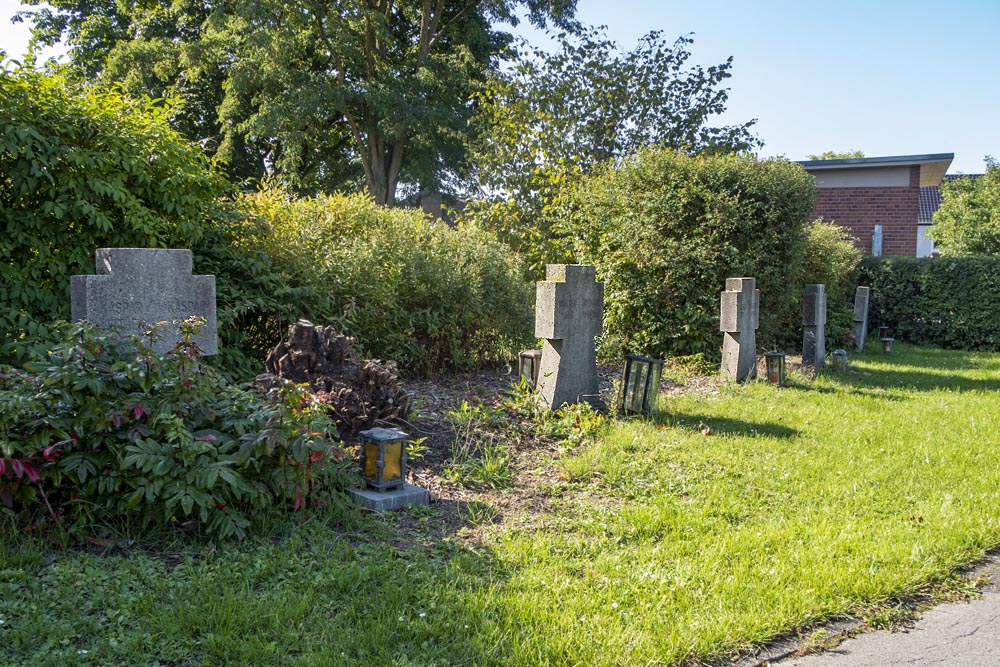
x=863 y=193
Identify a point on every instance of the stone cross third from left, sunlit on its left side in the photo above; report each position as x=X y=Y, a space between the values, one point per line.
x=739 y=317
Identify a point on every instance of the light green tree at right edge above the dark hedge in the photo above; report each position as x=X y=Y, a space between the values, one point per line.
x=968 y=220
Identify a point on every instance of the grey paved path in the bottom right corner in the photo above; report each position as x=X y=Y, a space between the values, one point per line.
x=965 y=634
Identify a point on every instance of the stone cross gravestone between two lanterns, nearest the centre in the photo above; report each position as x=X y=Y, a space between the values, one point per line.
x=569 y=309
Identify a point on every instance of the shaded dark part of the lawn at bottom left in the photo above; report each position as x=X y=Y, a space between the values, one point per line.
x=378 y=594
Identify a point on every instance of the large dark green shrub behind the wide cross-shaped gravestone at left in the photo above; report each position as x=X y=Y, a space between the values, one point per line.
x=85 y=169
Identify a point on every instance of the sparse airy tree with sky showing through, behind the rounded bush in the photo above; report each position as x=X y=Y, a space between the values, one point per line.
x=555 y=116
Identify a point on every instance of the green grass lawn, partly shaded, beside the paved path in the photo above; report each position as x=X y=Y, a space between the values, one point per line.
x=728 y=520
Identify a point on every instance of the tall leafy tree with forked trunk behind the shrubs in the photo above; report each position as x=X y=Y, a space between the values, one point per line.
x=322 y=94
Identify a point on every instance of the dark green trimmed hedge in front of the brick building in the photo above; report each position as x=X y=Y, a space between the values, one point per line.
x=948 y=302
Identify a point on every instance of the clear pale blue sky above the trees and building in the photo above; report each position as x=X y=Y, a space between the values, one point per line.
x=887 y=77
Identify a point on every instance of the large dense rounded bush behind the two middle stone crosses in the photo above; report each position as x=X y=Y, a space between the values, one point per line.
x=665 y=230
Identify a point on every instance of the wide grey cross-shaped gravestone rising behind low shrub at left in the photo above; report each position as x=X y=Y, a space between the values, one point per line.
x=136 y=288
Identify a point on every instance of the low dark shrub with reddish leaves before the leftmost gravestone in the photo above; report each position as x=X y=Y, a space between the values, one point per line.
x=102 y=429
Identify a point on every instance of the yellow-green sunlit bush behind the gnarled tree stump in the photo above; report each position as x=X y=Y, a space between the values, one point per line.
x=408 y=288
